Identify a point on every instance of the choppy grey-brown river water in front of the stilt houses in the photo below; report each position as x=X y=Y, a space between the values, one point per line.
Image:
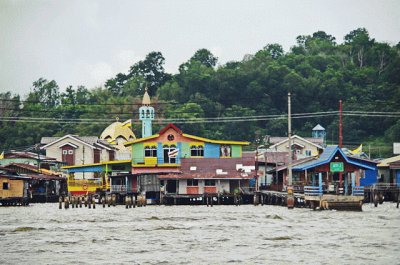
x=43 y=234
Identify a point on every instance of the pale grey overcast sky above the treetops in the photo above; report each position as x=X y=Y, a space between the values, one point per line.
x=87 y=42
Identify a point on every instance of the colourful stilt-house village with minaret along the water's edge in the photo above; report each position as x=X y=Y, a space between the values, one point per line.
x=171 y=167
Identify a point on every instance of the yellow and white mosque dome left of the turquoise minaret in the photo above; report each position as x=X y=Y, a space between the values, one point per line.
x=117 y=133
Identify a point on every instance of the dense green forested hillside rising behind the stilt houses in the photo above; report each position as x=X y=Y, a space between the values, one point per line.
x=239 y=100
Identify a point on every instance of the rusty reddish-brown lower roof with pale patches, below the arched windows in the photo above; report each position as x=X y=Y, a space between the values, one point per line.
x=215 y=168
